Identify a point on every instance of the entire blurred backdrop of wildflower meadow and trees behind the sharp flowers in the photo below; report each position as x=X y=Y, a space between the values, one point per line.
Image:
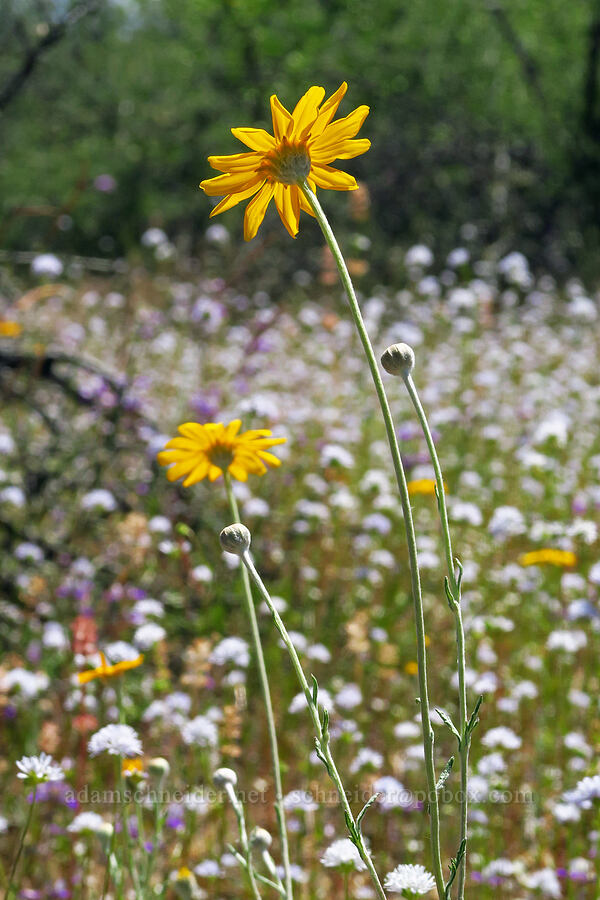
x=124 y=313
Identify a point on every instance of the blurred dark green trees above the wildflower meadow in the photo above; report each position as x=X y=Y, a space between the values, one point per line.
x=485 y=119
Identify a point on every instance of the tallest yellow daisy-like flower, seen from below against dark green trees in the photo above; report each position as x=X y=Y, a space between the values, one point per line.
x=303 y=144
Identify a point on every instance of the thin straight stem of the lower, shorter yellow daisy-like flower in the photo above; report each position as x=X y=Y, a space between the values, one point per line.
x=264 y=682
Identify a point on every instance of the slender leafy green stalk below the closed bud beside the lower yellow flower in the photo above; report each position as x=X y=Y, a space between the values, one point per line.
x=320 y=726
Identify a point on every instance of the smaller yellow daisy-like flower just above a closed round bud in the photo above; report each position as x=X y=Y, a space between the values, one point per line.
x=213 y=448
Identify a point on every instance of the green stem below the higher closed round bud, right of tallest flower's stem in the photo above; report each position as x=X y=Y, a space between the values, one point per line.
x=465 y=738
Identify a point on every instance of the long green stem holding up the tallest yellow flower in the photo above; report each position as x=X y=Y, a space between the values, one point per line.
x=428 y=737
